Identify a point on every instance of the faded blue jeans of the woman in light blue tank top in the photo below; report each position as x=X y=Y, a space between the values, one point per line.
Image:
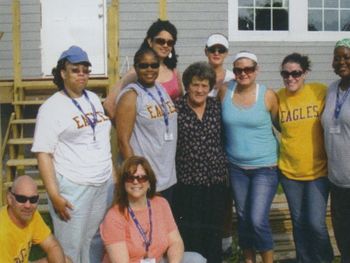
x=253 y=192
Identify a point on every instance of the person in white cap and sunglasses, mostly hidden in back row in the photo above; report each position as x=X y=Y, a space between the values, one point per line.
x=216 y=50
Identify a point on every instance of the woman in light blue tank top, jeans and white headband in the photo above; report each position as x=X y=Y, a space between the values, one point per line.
x=248 y=110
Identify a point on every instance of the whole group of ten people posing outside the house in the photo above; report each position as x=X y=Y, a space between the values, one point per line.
x=187 y=144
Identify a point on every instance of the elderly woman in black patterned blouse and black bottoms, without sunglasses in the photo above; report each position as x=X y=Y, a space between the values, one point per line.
x=200 y=164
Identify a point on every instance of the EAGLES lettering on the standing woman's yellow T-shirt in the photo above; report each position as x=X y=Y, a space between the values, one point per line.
x=300 y=113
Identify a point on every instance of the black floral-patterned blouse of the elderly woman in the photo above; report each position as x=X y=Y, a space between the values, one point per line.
x=200 y=158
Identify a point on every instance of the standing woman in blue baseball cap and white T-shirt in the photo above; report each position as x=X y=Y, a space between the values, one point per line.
x=72 y=145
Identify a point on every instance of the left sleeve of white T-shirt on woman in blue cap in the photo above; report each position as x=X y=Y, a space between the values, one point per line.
x=46 y=132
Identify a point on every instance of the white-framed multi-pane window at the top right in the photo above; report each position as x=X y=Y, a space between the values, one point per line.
x=288 y=20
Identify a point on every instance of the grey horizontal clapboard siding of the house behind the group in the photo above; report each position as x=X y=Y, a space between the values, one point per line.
x=195 y=20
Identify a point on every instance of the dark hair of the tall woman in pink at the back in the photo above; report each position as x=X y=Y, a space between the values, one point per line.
x=154 y=30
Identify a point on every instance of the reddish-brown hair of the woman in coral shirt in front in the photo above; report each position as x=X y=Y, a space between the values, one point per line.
x=129 y=167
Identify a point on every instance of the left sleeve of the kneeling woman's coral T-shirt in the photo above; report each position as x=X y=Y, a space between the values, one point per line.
x=113 y=227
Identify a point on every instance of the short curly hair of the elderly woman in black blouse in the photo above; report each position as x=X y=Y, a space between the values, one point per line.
x=201 y=70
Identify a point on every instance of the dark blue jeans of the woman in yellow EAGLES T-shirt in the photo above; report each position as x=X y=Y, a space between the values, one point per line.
x=307 y=201
